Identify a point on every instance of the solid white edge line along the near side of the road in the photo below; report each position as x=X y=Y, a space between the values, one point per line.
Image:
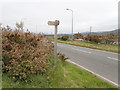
x=93 y=72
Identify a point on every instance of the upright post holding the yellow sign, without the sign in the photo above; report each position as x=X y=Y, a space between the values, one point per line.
x=55 y=45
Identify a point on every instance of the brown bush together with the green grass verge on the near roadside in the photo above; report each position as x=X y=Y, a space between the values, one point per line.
x=27 y=62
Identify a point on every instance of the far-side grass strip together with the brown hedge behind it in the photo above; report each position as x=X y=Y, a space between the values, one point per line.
x=102 y=42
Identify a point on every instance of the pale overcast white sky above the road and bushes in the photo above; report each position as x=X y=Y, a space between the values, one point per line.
x=102 y=15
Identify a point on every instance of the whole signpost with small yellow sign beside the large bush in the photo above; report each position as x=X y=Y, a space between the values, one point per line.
x=54 y=23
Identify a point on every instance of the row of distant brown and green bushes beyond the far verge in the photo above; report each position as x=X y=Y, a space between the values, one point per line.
x=109 y=38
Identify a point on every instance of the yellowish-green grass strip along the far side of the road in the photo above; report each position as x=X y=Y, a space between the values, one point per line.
x=105 y=47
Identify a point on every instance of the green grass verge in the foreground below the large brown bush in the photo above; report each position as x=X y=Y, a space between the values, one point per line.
x=62 y=75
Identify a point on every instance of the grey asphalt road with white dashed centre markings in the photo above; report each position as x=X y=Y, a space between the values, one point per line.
x=100 y=62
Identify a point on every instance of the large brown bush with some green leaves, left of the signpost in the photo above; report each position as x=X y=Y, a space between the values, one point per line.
x=24 y=53
